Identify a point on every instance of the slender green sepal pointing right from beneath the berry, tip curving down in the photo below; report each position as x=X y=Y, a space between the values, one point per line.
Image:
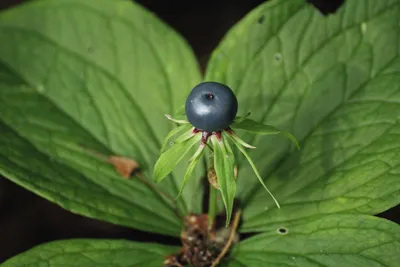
x=254 y=127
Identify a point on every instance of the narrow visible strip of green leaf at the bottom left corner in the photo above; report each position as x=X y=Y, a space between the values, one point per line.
x=86 y=252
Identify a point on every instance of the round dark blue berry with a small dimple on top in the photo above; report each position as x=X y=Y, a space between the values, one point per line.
x=211 y=106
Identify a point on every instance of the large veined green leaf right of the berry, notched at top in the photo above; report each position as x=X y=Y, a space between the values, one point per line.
x=334 y=83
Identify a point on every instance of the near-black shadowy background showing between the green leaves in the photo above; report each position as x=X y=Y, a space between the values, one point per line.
x=27 y=220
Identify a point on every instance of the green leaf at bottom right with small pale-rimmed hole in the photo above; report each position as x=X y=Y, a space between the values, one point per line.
x=333 y=240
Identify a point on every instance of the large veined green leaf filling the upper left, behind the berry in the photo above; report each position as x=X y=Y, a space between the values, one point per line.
x=92 y=75
